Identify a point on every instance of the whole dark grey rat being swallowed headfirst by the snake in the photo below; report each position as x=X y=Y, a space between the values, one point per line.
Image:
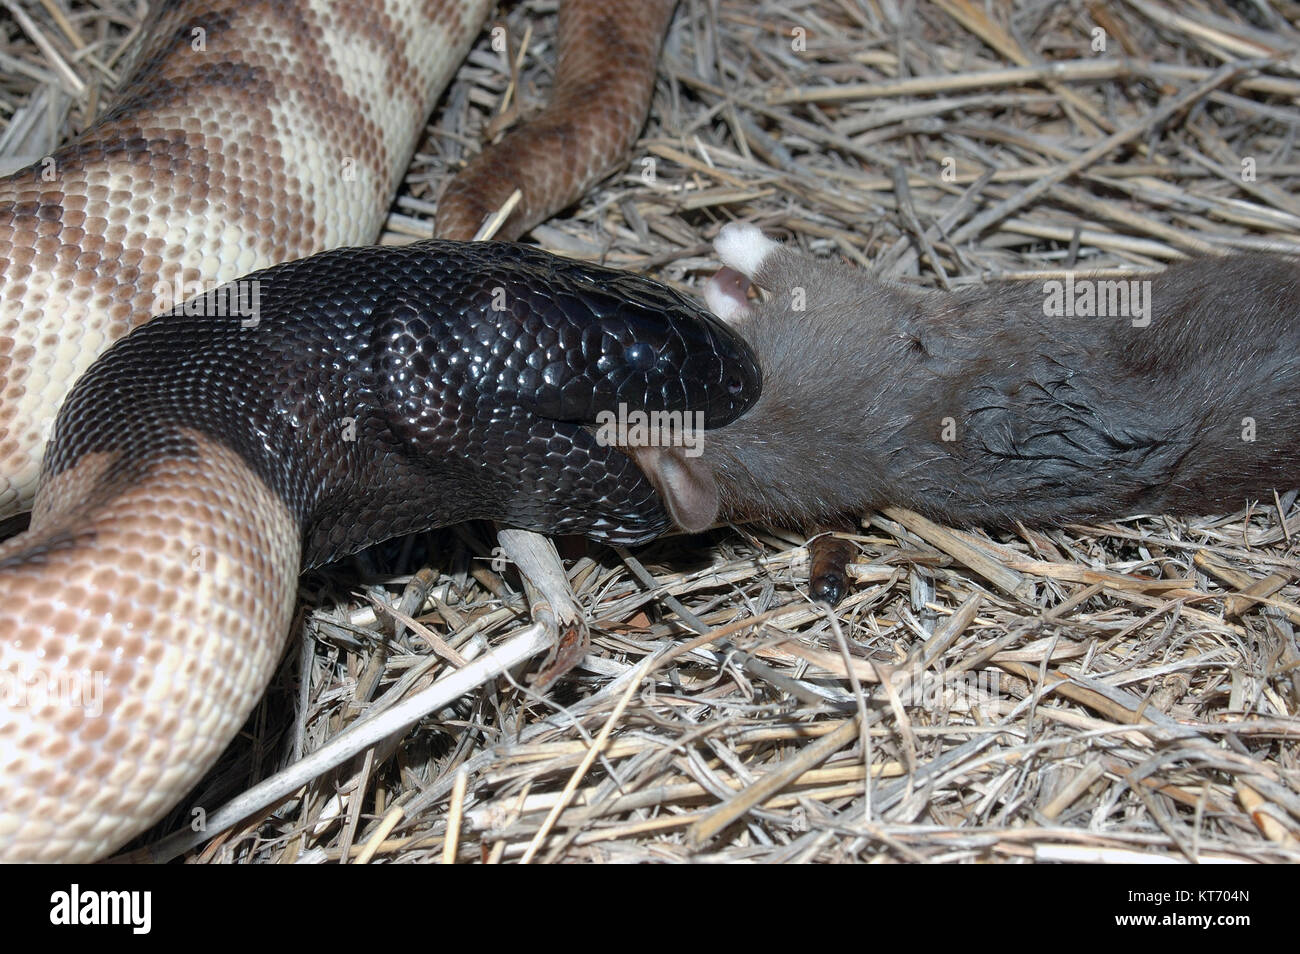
x=1035 y=404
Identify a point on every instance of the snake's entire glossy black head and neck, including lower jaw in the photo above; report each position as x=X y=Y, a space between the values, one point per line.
x=380 y=392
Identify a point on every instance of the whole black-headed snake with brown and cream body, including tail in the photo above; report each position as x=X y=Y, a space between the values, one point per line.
x=371 y=392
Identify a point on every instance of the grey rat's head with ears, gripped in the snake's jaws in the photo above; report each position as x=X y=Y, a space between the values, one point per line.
x=807 y=448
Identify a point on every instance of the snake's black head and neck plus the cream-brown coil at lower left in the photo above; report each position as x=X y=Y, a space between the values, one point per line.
x=205 y=458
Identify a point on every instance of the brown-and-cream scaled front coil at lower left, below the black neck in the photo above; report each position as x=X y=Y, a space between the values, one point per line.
x=102 y=735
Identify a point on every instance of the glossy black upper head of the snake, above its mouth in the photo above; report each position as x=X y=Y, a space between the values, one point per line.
x=515 y=327
